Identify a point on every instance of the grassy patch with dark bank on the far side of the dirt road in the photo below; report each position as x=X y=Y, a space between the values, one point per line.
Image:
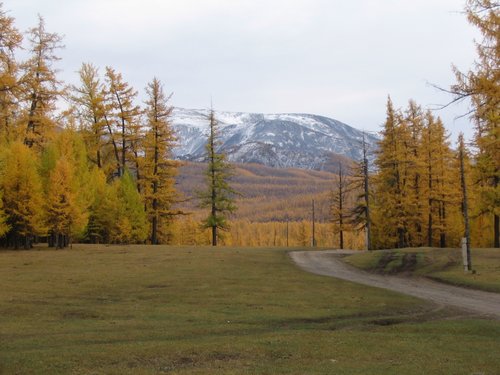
x=440 y=264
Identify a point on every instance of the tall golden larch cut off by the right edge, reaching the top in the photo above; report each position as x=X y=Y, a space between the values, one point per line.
x=482 y=86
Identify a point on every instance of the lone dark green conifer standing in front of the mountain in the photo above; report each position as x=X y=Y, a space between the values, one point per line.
x=219 y=195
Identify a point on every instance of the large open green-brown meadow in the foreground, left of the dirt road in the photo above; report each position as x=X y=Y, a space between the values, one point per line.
x=153 y=310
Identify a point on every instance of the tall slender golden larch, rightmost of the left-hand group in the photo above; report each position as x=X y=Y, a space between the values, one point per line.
x=159 y=169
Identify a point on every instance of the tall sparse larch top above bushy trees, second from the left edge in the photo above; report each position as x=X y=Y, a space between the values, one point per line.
x=39 y=85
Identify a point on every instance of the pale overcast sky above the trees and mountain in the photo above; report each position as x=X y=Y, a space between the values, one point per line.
x=335 y=58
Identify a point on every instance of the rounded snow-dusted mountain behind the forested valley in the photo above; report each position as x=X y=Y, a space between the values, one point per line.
x=276 y=140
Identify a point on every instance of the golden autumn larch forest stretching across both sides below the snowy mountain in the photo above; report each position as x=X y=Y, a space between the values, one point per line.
x=91 y=163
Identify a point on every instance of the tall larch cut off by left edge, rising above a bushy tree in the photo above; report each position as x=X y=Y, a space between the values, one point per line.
x=10 y=42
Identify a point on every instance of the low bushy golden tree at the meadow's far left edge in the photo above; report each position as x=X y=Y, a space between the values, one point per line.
x=22 y=195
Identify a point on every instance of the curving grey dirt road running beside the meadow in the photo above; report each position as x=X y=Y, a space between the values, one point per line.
x=328 y=263
